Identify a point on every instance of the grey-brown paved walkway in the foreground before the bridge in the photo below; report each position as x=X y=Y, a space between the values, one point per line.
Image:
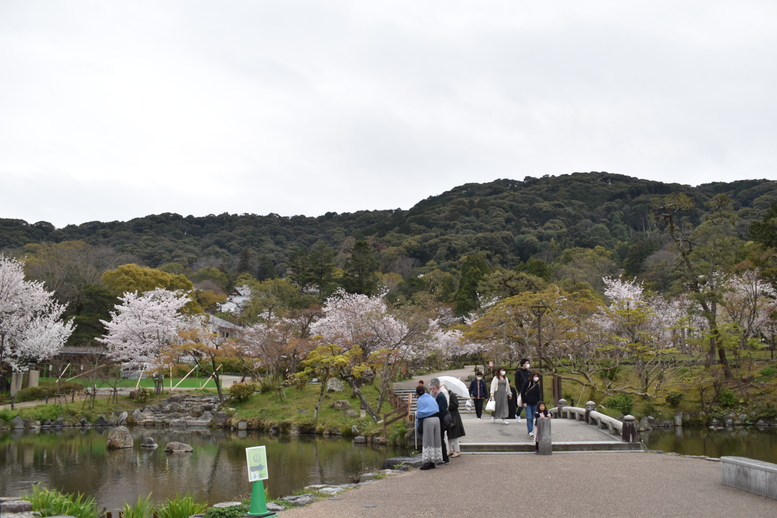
x=563 y=484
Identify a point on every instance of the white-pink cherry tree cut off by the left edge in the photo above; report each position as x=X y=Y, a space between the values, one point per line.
x=31 y=328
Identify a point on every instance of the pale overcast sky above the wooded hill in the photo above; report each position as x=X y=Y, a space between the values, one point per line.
x=112 y=110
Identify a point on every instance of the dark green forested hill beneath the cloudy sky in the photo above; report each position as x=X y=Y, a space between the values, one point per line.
x=508 y=221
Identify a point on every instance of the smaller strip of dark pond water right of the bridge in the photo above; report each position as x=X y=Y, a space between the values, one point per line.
x=752 y=442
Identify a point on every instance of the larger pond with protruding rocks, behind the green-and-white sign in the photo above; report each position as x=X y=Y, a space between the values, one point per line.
x=77 y=461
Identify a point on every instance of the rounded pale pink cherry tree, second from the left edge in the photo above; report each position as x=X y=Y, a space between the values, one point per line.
x=144 y=325
